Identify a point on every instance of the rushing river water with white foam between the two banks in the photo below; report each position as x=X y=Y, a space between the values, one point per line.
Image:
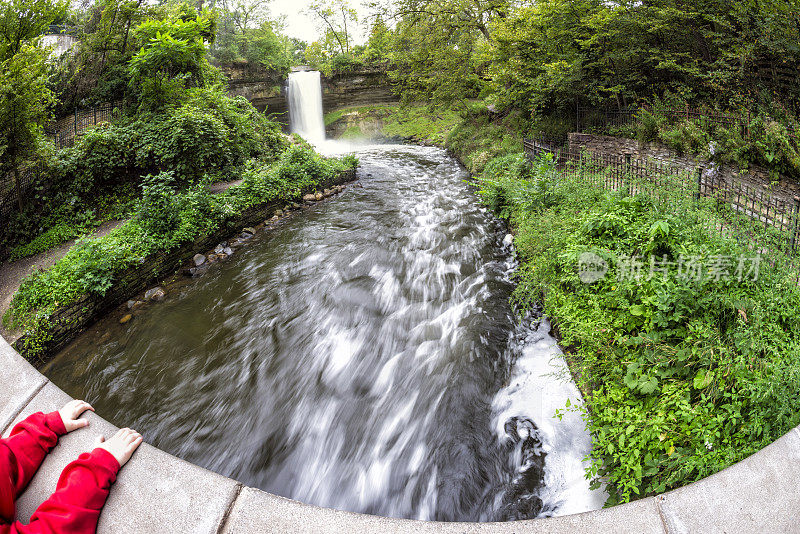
x=362 y=356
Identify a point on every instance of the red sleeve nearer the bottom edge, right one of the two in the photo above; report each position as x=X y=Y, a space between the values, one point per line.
x=80 y=495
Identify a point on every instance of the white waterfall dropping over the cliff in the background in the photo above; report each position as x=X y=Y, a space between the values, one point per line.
x=305 y=105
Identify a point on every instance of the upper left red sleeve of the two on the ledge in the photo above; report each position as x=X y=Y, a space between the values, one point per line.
x=23 y=451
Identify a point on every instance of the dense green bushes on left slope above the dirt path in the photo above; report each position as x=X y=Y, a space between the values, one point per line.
x=206 y=137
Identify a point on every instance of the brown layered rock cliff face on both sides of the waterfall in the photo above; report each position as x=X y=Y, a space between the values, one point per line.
x=266 y=89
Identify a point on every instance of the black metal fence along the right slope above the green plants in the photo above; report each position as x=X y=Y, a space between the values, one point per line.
x=765 y=222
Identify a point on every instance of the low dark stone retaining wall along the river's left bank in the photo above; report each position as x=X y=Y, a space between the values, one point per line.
x=68 y=321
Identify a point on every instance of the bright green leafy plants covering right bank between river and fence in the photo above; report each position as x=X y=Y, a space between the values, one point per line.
x=683 y=375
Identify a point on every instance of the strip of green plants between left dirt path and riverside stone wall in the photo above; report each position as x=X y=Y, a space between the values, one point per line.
x=166 y=217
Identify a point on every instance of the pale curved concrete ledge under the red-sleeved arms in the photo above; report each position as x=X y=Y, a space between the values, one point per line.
x=158 y=493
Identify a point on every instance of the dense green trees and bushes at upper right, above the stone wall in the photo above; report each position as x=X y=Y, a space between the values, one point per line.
x=544 y=59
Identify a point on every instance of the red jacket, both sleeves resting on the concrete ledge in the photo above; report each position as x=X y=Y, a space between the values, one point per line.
x=81 y=491
